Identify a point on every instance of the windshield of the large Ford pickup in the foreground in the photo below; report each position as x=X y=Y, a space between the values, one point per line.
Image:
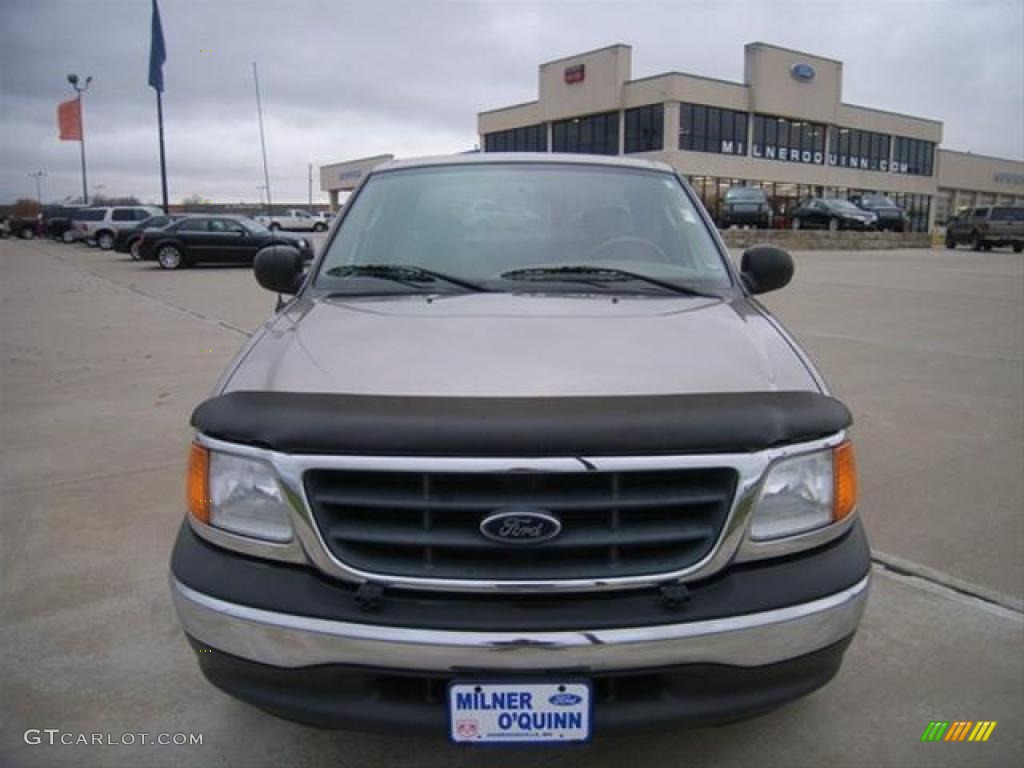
x=480 y=223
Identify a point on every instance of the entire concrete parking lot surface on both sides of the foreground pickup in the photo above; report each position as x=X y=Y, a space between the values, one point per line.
x=102 y=361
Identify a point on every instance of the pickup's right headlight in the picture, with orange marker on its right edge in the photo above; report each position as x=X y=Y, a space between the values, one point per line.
x=805 y=493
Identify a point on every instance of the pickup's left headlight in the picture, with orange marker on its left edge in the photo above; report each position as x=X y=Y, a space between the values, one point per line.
x=238 y=495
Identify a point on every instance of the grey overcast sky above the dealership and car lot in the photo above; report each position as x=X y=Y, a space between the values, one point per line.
x=345 y=80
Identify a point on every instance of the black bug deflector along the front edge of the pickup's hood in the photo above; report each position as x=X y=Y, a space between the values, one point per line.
x=527 y=428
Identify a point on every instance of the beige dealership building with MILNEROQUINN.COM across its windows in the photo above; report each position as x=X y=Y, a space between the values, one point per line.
x=786 y=130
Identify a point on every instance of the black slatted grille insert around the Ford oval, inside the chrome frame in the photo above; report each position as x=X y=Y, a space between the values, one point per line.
x=426 y=525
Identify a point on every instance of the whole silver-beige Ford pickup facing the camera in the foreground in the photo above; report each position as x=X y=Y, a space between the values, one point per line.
x=531 y=483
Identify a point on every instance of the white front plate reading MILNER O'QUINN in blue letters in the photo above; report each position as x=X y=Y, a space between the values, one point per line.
x=521 y=713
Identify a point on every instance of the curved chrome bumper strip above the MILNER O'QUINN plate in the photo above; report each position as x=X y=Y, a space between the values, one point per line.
x=291 y=642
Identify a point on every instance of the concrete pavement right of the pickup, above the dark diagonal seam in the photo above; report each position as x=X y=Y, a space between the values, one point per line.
x=927 y=348
